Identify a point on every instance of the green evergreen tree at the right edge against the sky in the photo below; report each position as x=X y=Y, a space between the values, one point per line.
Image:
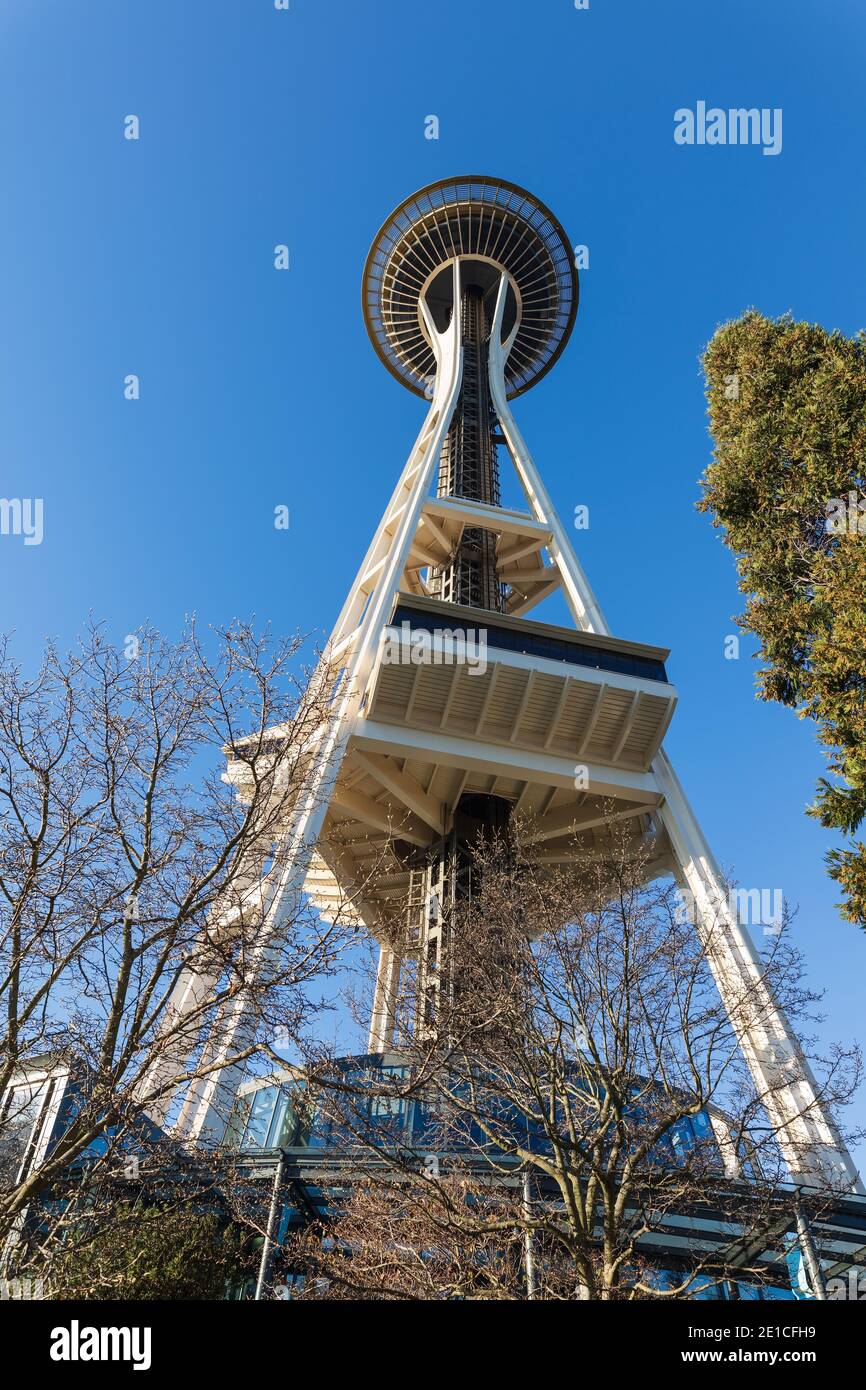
x=787 y=407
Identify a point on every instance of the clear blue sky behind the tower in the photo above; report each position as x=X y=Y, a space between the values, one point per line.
x=261 y=127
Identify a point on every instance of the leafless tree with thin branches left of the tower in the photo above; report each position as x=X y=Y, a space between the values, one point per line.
x=127 y=858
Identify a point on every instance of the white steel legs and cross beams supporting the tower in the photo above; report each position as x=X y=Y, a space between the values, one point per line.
x=418 y=533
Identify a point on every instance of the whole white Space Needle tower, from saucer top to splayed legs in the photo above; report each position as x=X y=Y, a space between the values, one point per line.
x=471 y=295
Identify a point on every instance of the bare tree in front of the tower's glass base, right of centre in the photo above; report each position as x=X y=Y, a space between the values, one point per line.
x=580 y=1090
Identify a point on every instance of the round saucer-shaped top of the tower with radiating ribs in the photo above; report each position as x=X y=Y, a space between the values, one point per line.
x=500 y=227
